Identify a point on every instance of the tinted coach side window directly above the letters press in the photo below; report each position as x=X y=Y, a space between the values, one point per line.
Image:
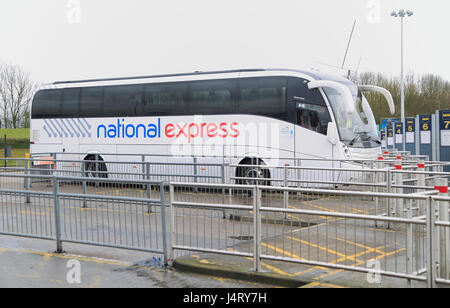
x=212 y=97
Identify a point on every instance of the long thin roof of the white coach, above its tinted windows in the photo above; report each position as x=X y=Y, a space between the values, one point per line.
x=314 y=74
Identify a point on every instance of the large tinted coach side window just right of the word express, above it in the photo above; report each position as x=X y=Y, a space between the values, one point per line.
x=263 y=96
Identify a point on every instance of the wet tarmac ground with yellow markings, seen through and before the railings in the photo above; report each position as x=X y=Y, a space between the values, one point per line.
x=294 y=238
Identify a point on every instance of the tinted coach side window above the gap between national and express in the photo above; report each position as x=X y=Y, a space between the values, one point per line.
x=165 y=99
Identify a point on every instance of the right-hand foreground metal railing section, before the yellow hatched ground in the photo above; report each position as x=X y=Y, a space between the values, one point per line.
x=312 y=232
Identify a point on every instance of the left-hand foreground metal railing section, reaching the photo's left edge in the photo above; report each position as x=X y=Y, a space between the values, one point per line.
x=68 y=215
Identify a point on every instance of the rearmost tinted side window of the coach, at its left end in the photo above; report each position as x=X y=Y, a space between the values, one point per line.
x=47 y=103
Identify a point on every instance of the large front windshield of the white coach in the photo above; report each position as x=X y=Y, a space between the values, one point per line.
x=358 y=129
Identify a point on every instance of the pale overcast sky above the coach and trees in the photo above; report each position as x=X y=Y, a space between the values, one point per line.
x=78 y=39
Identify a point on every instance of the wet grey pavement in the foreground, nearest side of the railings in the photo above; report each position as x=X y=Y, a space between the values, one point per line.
x=39 y=267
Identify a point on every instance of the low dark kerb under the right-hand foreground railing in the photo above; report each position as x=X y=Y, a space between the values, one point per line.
x=194 y=266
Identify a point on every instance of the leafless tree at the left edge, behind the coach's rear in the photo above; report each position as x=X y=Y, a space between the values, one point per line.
x=16 y=92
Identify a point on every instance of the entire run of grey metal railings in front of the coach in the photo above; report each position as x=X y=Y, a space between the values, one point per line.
x=302 y=218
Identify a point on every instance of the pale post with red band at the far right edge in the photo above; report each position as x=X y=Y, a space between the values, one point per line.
x=444 y=232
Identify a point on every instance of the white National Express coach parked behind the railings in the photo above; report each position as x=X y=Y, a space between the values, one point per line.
x=271 y=116
